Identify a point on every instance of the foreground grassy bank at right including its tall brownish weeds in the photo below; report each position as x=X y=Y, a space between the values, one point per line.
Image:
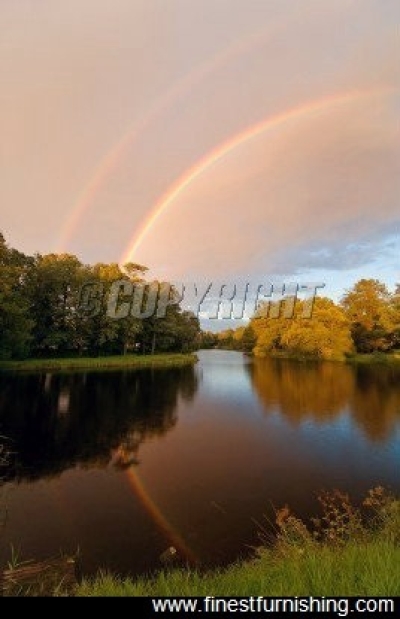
x=343 y=554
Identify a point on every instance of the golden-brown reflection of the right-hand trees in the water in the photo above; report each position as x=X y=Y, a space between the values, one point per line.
x=322 y=391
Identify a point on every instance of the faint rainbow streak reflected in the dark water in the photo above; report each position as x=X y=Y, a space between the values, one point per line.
x=174 y=538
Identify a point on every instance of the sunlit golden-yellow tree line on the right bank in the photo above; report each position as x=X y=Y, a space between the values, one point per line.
x=366 y=320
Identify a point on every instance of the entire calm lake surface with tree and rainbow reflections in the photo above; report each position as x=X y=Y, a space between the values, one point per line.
x=123 y=464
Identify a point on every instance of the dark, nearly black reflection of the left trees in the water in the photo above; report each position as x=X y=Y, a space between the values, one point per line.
x=56 y=421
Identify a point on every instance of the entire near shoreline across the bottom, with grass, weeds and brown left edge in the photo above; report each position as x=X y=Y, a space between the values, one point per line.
x=318 y=560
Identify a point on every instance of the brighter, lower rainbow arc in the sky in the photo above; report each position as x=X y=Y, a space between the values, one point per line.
x=179 y=186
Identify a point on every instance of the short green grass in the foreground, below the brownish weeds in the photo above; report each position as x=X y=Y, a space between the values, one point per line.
x=357 y=569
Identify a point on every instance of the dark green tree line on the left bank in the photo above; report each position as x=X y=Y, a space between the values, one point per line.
x=41 y=313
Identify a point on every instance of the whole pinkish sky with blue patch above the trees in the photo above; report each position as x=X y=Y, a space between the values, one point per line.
x=105 y=104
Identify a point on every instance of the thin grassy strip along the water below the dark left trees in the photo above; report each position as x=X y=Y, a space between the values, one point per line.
x=100 y=363
